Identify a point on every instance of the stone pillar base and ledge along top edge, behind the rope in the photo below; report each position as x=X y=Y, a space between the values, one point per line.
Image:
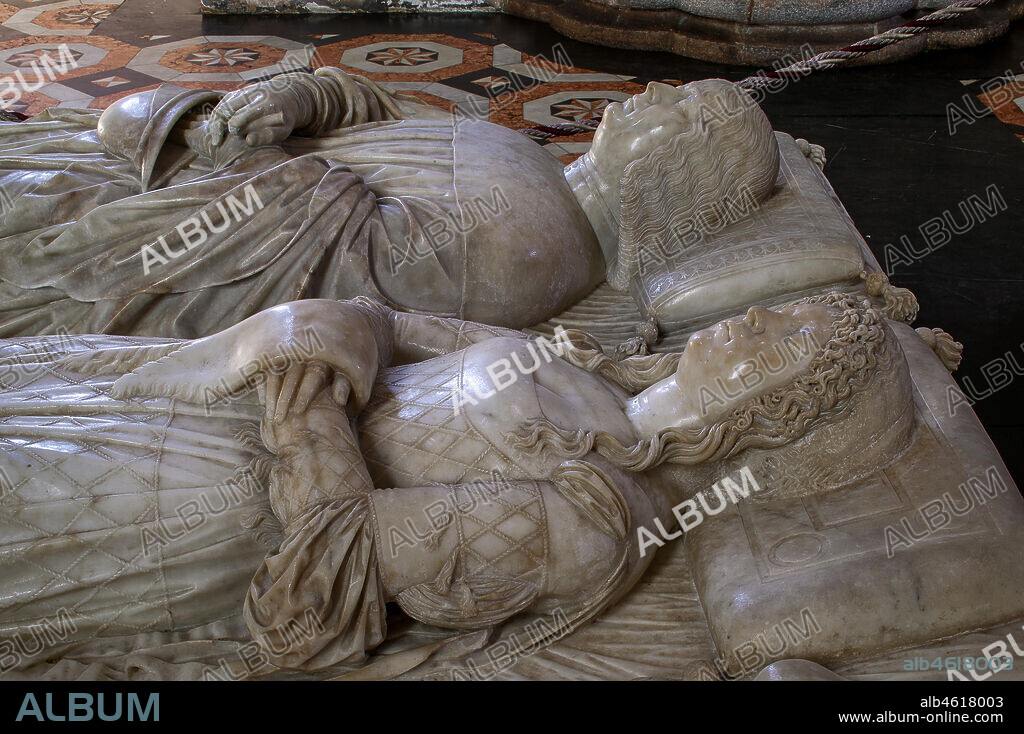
x=748 y=32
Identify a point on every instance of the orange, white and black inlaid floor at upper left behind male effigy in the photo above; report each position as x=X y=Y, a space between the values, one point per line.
x=110 y=53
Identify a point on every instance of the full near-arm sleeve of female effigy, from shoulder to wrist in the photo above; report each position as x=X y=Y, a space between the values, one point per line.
x=319 y=600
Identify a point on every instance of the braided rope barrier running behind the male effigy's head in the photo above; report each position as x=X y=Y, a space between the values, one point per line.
x=820 y=62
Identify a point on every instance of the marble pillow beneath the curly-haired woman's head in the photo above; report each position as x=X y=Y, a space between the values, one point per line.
x=925 y=549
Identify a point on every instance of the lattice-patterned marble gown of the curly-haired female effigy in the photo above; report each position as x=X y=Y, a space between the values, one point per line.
x=147 y=524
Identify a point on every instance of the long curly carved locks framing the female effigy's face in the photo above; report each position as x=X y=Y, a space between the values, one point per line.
x=862 y=346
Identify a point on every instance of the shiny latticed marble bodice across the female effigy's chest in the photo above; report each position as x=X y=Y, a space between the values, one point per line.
x=412 y=436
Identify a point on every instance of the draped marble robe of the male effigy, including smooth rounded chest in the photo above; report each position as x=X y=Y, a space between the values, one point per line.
x=428 y=213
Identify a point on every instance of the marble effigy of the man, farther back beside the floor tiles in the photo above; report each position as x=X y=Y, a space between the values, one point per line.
x=163 y=219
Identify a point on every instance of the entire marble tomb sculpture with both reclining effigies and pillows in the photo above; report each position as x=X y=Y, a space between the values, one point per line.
x=205 y=479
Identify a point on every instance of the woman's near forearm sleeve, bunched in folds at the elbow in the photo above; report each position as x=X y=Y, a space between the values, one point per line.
x=318 y=600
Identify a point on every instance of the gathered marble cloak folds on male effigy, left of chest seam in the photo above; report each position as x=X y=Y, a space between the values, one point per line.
x=270 y=229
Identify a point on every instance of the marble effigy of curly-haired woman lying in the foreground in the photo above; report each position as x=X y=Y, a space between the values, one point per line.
x=460 y=471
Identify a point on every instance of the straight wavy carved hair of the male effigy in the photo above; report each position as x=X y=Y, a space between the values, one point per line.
x=731 y=156
